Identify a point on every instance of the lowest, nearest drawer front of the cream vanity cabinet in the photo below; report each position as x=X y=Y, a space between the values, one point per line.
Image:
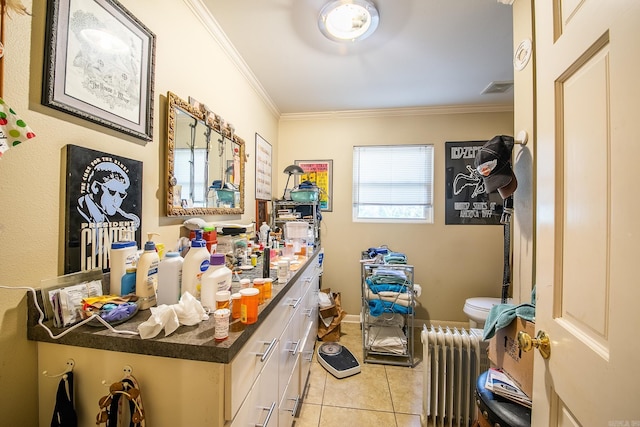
x=261 y=405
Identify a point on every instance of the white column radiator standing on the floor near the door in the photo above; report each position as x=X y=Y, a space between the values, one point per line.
x=453 y=359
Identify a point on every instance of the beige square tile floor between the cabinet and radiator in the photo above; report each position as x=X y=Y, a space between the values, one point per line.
x=380 y=395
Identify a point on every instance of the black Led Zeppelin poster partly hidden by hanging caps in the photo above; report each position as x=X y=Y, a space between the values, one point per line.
x=465 y=199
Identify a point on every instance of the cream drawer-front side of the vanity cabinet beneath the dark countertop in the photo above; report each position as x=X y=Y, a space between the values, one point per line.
x=278 y=354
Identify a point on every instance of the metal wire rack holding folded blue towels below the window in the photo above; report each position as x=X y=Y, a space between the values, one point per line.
x=371 y=324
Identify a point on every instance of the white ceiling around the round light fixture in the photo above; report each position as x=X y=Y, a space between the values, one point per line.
x=425 y=53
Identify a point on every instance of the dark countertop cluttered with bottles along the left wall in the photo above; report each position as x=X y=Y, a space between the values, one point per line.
x=187 y=342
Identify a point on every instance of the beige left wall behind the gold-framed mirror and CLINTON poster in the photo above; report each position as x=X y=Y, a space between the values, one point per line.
x=188 y=62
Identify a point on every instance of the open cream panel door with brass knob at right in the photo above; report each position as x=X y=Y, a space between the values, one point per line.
x=587 y=264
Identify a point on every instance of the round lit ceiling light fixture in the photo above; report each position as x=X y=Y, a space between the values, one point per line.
x=348 y=20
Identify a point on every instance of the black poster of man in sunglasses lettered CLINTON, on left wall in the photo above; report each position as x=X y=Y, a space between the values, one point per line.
x=103 y=204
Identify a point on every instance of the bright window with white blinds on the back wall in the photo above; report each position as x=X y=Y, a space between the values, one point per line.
x=393 y=183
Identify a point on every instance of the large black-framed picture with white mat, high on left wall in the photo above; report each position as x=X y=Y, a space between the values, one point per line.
x=99 y=65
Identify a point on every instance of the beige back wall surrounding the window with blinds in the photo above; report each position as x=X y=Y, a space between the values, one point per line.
x=452 y=262
